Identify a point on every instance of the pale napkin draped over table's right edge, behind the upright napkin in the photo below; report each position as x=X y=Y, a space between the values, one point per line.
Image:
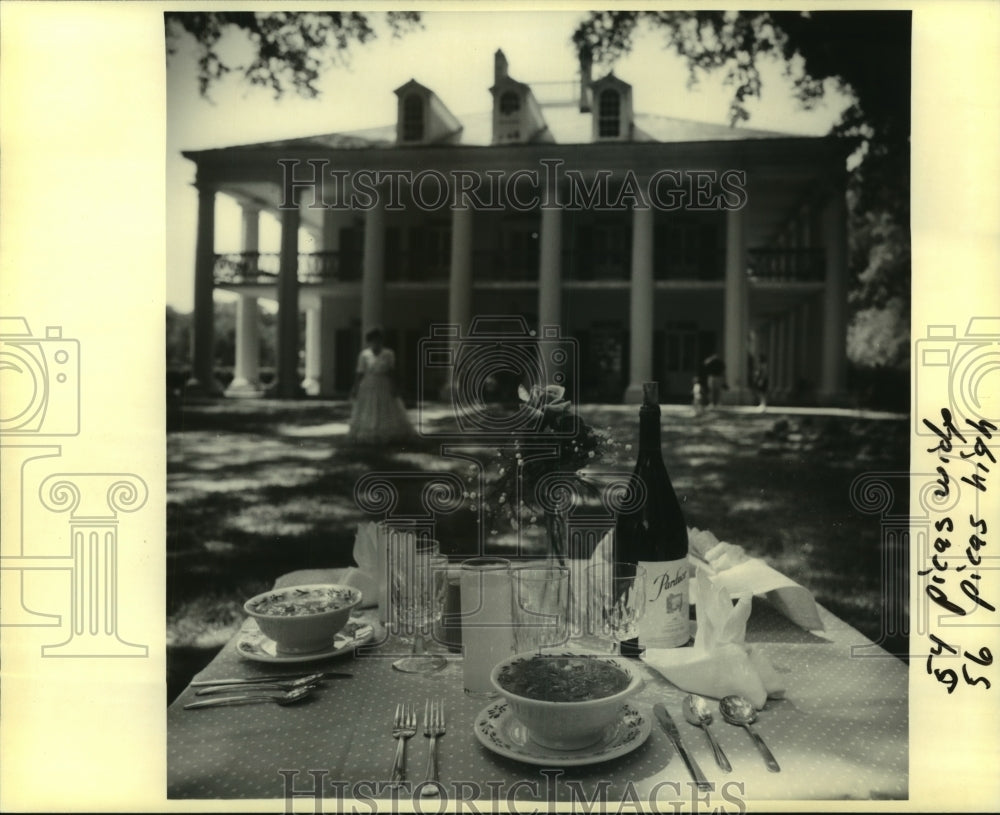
x=730 y=566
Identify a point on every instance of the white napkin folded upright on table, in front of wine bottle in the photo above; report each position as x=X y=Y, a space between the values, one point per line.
x=720 y=662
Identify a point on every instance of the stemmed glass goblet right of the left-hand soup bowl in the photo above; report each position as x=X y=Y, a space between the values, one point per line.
x=418 y=580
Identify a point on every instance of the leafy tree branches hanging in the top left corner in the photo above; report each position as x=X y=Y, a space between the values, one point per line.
x=288 y=50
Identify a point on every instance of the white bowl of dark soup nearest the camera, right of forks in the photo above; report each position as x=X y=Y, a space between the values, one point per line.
x=568 y=725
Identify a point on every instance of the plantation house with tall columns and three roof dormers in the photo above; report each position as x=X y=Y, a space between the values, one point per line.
x=647 y=242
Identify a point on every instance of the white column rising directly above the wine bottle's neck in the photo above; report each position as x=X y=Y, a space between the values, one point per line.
x=641 y=305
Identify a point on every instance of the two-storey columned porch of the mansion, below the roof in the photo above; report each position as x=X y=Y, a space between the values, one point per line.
x=644 y=293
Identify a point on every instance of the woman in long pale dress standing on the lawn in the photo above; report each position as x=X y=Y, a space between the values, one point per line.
x=377 y=414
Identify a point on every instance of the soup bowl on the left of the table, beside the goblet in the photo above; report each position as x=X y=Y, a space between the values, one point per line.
x=305 y=618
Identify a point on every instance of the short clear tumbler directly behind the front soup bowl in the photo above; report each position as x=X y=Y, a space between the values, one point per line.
x=540 y=606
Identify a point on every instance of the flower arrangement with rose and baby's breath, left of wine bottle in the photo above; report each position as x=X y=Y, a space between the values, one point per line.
x=541 y=471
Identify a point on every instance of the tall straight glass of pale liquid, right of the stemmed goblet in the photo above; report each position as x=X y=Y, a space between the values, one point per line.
x=487 y=637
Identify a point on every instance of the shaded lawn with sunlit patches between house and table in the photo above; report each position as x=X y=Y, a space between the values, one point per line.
x=256 y=488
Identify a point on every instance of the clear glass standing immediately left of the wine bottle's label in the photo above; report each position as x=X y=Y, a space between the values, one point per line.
x=618 y=601
